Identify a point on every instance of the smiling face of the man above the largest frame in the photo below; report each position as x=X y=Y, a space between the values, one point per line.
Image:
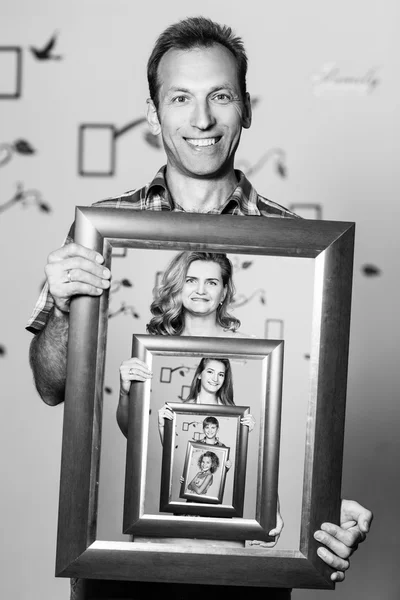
x=201 y=112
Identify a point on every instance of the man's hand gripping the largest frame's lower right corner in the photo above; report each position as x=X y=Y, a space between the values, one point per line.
x=342 y=540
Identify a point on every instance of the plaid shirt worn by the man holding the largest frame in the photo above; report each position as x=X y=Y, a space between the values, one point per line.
x=244 y=201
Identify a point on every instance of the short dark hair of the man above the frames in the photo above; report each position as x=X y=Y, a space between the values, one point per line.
x=195 y=32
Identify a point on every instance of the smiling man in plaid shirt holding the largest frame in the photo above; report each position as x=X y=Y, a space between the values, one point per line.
x=199 y=105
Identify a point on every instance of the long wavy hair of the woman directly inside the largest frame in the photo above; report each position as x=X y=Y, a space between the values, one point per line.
x=167 y=308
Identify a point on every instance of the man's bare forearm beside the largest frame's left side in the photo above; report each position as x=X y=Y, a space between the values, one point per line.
x=48 y=358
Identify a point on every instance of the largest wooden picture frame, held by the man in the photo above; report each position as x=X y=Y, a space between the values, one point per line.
x=79 y=553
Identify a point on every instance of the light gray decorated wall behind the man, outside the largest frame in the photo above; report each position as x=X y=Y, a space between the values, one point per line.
x=340 y=142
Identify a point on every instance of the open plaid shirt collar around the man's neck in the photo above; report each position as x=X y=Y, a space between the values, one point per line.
x=242 y=201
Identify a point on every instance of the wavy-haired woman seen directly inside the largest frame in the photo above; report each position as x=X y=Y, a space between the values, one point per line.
x=192 y=300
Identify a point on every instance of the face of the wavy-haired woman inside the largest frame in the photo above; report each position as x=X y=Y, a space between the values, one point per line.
x=203 y=289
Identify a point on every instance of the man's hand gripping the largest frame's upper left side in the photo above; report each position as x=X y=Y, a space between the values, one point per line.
x=72 y=270
